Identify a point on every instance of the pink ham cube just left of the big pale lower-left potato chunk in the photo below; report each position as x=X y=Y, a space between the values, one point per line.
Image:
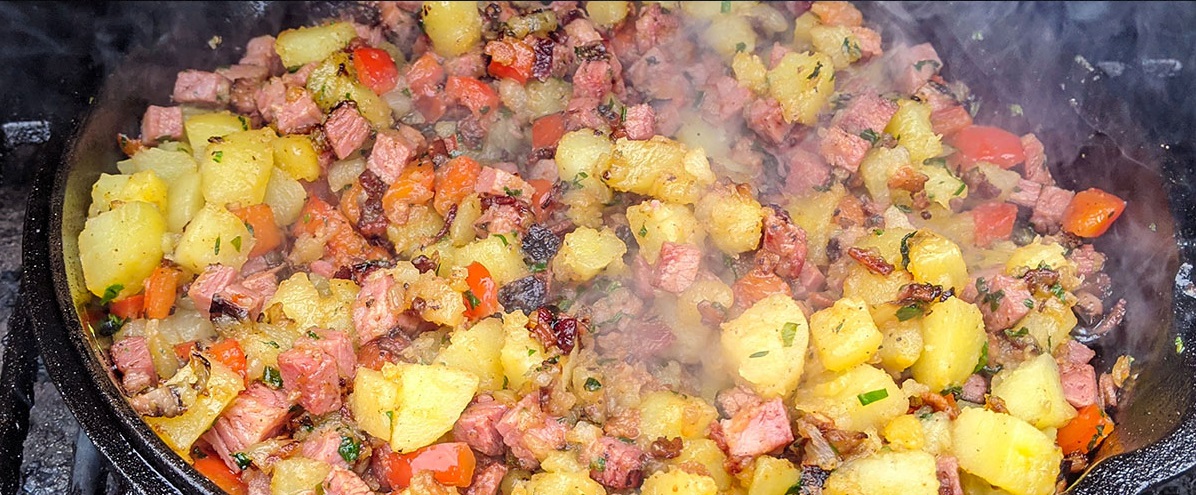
x=313 y=376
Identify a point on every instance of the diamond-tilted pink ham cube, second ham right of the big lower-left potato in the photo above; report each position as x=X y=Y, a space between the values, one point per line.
x=529 y=432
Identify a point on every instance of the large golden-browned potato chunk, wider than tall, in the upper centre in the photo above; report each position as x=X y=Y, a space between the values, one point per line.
x=660 y=168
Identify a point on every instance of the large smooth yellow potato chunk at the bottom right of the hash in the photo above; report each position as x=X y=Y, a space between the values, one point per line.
x=1006 y=453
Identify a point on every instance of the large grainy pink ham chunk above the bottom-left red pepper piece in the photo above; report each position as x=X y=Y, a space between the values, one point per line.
x=255 y=415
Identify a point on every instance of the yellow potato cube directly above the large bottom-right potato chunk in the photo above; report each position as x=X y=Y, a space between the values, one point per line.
x=1033 y=393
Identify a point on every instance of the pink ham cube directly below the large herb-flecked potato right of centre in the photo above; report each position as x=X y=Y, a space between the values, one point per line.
x=758 y=430
